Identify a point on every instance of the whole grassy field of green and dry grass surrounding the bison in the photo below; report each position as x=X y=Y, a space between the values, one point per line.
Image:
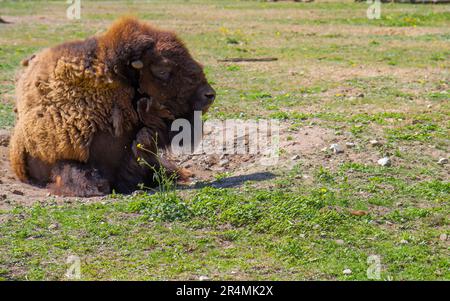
x=337 y=72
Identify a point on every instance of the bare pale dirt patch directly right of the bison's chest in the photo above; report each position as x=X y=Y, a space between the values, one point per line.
x=222 y=157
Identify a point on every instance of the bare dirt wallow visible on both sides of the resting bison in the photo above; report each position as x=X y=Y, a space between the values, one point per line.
x=235 y=168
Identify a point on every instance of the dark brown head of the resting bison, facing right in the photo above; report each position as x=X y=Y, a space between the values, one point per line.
x=158 y=65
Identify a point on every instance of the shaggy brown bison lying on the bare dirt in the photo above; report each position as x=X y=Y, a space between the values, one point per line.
x=78 y=119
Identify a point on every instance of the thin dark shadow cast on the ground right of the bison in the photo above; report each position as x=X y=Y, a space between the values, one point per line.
x=234 y=181
